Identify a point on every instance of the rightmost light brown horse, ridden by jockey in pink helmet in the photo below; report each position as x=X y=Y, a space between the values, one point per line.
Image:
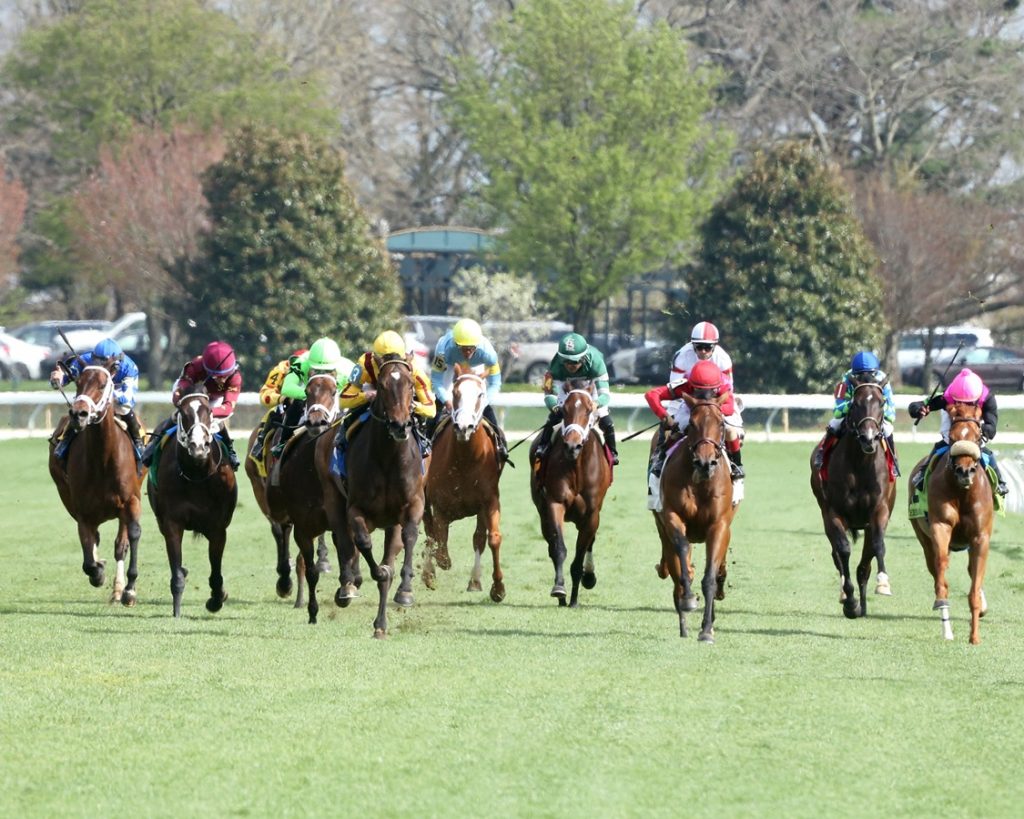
x=961 y=513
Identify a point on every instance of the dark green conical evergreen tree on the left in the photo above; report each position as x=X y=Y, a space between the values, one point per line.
x=290 y=256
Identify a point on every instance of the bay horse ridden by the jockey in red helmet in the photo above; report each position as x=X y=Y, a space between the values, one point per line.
x=697 y=507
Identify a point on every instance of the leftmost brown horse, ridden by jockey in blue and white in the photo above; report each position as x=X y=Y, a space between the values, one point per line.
x=100 y=481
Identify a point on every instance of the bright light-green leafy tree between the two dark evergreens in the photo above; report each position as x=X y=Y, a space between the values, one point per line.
x=594 y=150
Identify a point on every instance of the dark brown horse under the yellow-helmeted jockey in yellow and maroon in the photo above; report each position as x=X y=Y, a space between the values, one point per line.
x=386 y=490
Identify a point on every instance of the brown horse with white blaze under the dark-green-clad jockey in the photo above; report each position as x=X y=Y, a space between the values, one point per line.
x=570 y=486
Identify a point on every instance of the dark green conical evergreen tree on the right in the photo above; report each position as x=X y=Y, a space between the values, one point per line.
x=788 y=276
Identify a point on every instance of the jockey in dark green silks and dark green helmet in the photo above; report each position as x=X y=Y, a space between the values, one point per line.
x=577 y=360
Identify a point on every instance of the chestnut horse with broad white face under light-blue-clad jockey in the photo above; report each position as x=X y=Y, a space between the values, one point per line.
x=463 y=483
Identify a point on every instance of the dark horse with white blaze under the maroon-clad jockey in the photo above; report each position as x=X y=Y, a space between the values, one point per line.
x=192 y=488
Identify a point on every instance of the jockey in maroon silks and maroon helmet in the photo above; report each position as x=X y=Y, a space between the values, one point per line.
x=217 y=370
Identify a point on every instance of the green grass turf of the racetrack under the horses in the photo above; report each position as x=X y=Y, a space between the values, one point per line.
x=523 y=709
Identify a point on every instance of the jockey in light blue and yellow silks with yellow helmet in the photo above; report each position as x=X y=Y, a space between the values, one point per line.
x=465 y=344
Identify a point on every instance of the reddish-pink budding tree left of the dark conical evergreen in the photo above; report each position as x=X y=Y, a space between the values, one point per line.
x=139 y=221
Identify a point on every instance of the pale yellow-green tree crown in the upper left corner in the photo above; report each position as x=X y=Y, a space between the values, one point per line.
x=90 y=76
